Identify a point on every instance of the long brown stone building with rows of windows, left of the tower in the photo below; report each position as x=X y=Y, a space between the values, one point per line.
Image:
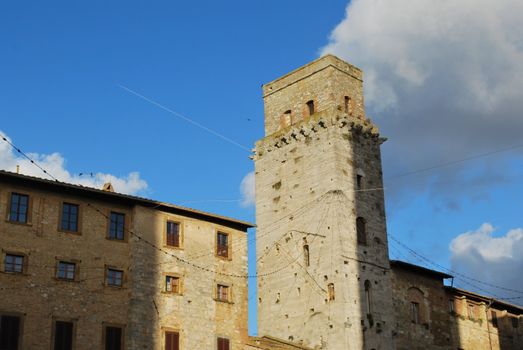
x=90 y=269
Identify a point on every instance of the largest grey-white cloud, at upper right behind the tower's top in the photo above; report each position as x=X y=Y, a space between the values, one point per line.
x=443 y=79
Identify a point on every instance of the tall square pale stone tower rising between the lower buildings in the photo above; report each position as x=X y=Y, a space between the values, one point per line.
x=322 y=256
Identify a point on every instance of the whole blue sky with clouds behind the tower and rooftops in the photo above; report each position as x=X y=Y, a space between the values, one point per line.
x=63 y=66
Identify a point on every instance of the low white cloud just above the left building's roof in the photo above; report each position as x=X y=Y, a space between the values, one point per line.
x=55 y=165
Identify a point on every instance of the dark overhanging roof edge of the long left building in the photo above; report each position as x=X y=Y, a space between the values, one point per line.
x=6 y=176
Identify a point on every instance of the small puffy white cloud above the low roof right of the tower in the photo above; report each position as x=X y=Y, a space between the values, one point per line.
x=493 y=259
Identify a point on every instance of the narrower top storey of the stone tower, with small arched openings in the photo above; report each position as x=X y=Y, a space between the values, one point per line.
x=326 y=83
